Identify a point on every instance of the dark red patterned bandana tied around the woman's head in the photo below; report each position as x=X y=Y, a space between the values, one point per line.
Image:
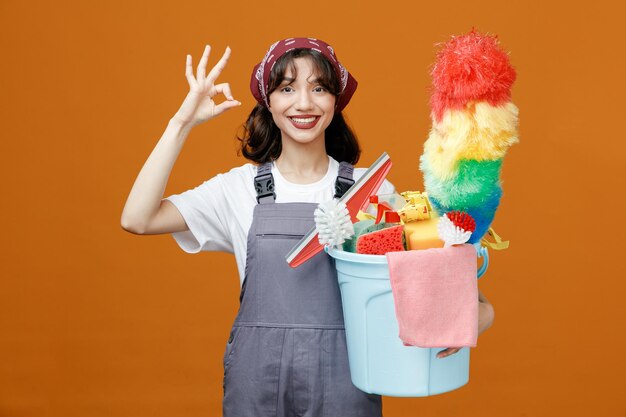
x=259 y=82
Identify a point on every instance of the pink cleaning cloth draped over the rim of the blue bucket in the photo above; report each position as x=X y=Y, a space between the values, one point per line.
x=436 y=296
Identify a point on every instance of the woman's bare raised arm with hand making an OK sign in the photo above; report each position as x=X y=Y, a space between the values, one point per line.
x=145 y=212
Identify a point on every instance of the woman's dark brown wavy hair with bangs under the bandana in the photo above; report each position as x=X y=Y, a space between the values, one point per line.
x=261 y=138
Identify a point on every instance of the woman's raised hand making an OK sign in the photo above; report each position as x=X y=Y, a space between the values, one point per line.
x=199 y=105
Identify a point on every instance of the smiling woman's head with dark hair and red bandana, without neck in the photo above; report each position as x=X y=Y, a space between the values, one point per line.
x=284 y=108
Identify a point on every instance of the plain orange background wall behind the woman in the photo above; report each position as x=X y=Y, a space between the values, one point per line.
x=95 y=321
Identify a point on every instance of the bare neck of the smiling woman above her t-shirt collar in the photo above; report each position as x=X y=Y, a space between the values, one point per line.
x=303 y=163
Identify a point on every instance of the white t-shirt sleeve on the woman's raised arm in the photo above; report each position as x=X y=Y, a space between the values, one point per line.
x=204 y=210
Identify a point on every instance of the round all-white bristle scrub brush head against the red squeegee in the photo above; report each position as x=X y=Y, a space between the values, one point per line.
x=333 y=223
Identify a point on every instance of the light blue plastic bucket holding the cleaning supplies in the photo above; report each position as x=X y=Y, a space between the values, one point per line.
x=380 y=363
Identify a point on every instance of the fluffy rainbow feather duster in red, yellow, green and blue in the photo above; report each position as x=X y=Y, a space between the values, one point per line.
x=474 y=123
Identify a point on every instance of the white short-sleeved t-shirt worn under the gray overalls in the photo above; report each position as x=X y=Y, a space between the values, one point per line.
x=218 y=212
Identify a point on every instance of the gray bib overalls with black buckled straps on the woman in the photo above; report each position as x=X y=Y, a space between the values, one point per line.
x=286 y=355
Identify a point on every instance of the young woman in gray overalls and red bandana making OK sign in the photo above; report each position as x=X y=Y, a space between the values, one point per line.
x=286 y=354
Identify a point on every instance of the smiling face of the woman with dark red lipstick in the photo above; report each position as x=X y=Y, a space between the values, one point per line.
x=301 y=107
